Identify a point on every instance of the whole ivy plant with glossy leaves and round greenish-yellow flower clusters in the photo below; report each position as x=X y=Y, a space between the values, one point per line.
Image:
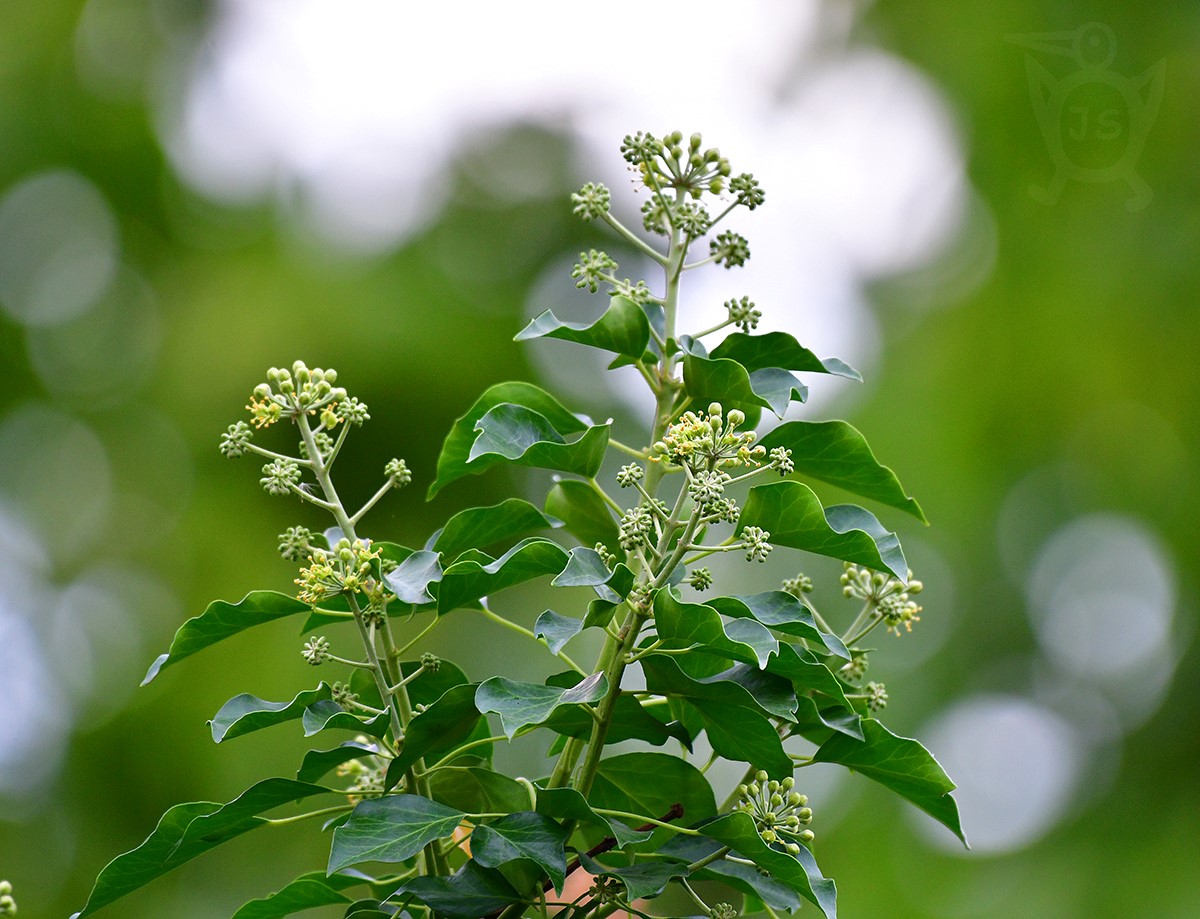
x=416 y=819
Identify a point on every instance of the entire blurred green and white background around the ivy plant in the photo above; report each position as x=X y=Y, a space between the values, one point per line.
x=191 y=194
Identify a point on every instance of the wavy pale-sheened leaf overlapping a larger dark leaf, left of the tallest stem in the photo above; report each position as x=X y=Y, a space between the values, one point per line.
x=525 y=437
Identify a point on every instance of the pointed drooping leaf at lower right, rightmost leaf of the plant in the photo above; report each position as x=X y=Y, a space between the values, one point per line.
x=898 y=764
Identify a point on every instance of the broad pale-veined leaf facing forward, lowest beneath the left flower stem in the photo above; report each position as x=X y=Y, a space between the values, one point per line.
x=391 y=830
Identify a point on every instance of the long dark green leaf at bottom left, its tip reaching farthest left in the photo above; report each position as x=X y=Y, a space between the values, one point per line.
x=188 y=831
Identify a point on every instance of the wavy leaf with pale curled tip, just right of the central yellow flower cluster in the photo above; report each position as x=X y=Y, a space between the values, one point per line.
x=794 y=516
